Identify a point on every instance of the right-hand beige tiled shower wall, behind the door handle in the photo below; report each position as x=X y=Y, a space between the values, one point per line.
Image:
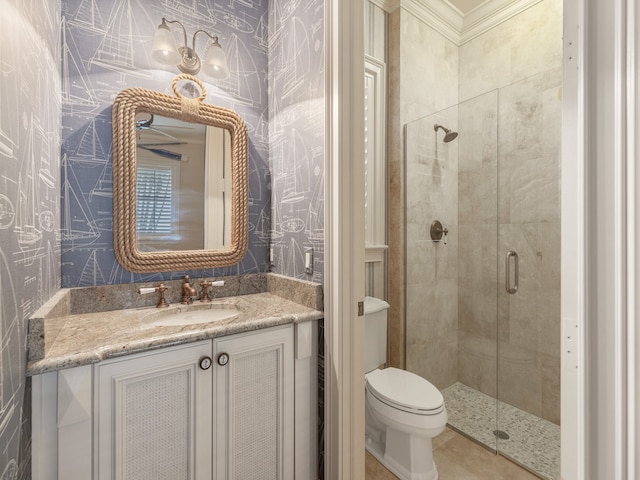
x=520 y=58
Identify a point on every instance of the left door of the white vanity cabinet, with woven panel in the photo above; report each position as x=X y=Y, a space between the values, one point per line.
x=154 y=418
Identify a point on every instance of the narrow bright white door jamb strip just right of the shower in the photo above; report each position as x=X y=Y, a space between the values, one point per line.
x=573 y=247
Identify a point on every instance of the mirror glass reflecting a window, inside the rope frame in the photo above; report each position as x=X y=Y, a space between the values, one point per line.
x=183 y=185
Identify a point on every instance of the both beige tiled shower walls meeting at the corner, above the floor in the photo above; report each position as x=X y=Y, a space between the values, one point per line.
x=502 y=92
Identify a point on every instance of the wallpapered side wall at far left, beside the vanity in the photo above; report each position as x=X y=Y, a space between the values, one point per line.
x=29 y=204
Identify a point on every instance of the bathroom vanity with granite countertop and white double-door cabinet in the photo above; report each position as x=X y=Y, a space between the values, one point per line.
x=138 y=393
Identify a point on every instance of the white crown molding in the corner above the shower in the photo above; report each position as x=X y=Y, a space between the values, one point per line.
x=451 y=23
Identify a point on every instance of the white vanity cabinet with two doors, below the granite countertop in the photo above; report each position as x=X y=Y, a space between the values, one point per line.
x=235 y=407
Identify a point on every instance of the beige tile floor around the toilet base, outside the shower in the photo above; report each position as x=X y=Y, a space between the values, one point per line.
x=458 y=458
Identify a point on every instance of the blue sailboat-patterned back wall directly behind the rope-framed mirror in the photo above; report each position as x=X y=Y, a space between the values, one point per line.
x=105 y=49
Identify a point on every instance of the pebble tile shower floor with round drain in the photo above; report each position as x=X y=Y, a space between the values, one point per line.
x=533 y=442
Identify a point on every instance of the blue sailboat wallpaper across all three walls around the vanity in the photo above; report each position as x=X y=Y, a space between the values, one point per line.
x=62 y=62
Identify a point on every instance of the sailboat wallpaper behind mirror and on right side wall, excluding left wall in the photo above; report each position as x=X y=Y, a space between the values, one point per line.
x=275 y=57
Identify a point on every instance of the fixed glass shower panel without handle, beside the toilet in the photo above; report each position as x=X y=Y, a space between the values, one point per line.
x=451 y=288
